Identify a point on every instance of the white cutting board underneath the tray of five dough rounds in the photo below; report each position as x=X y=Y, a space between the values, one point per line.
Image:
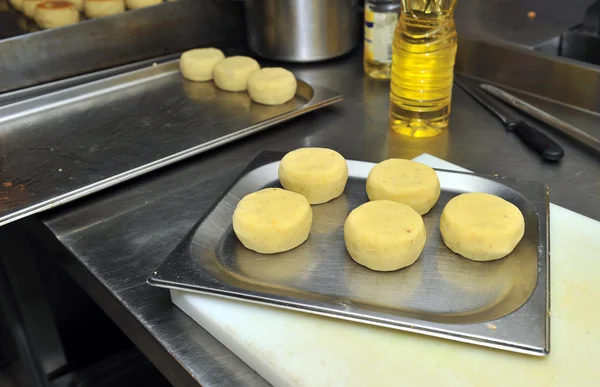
x=290 y=348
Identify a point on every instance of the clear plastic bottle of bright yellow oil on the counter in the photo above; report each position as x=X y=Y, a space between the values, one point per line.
x=423 y=58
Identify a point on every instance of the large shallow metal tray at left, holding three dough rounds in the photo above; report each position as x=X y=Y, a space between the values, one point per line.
x=70 y=143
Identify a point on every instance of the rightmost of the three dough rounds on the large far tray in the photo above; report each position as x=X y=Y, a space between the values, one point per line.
x=272 y=86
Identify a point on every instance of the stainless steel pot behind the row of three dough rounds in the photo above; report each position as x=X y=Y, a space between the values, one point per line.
x=302 y=30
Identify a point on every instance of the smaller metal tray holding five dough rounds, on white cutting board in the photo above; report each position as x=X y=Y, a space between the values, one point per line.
x=502 y=304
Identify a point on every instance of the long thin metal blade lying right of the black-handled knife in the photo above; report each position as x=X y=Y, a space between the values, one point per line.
x=566 y=128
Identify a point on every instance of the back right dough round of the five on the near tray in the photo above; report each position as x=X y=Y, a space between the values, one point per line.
x=404 y=181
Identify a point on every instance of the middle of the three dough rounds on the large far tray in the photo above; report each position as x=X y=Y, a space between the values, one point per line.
x=232 y=73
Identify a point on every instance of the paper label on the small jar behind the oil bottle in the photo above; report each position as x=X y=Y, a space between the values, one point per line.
x=379 y=35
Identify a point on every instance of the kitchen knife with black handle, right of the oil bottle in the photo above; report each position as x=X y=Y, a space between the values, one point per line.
x=533 y=138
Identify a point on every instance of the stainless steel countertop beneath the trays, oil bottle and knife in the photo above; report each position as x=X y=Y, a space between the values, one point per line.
x=116 y=238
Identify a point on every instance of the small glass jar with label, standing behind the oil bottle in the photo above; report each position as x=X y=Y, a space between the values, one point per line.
x=381 y=17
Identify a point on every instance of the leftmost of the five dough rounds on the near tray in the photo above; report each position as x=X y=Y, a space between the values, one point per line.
x=272 y=220
